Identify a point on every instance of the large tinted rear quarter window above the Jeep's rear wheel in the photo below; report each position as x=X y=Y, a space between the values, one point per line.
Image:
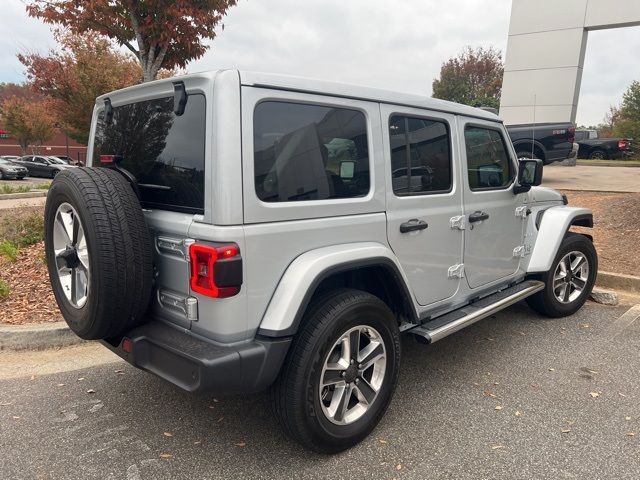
x=309 y=152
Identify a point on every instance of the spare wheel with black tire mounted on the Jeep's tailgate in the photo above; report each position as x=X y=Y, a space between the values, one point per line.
x=98 y=251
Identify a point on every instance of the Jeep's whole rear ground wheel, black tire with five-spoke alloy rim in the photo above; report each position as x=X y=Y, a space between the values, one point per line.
x=341 y=372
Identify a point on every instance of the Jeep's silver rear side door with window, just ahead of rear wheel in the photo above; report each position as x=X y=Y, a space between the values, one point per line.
x=423 y=195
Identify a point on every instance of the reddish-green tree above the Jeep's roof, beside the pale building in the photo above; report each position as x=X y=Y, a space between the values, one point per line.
x=473 y=78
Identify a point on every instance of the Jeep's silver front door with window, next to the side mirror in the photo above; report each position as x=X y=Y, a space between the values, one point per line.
x=495 y=224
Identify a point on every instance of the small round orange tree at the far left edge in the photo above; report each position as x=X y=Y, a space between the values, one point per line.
x=29 y=122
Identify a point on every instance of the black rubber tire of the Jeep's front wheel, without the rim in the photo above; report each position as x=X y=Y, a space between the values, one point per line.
x=545 y=301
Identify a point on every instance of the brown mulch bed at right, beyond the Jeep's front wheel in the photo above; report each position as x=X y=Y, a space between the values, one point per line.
x=616 y=232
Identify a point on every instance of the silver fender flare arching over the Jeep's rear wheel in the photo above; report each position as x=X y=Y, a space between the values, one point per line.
x=302 y=277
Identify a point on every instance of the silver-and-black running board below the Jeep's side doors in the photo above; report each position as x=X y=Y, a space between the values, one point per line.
x=445 y=325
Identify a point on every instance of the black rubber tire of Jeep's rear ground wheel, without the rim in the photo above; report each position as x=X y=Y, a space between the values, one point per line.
x=295 y=396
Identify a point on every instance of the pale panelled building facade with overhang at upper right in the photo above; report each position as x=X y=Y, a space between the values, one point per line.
x=545 y=55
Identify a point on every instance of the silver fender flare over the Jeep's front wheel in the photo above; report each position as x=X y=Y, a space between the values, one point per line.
x=553 y=226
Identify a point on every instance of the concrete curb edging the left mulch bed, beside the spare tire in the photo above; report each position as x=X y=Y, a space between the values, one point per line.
x=37 y=337
